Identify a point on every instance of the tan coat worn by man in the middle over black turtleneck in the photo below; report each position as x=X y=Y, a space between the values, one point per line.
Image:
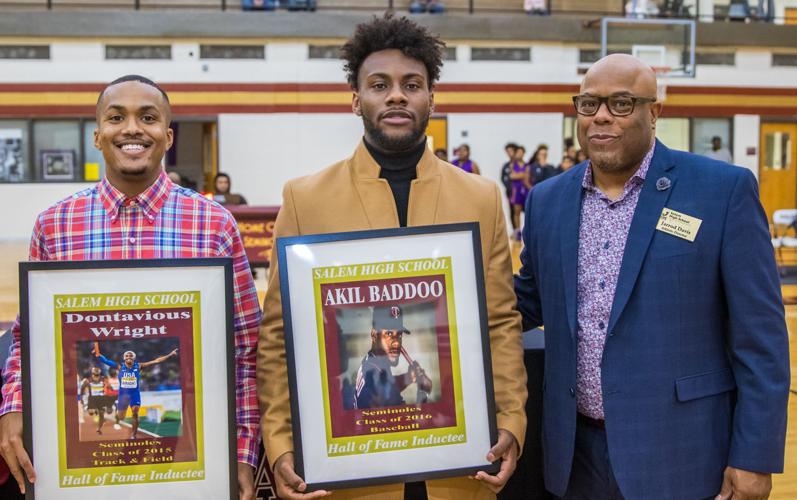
x=350 y=196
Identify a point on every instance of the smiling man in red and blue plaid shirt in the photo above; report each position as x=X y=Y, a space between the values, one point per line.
x=136 y=212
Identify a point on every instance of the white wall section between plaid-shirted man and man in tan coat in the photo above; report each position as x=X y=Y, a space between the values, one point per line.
x=263 y=151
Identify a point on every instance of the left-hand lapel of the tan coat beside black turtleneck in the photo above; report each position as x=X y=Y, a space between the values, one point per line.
x=374 y=193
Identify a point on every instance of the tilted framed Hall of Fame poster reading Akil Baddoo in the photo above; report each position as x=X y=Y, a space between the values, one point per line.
x=388 y=355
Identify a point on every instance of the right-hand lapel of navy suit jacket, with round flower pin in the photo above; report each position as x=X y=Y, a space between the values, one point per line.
x=643 y=226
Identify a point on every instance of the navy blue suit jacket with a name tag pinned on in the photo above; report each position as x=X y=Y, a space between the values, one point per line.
x=695 y=371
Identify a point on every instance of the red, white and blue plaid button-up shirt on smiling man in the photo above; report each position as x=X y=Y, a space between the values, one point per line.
x=166 y=221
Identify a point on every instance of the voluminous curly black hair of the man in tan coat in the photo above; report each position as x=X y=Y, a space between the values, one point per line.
x=389 y=32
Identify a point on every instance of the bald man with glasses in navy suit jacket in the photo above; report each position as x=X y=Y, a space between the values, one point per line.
x=666 y=363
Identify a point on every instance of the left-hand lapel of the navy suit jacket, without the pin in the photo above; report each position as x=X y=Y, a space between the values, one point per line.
x=569 y=219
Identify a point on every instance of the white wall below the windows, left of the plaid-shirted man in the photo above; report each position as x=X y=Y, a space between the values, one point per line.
x=21 y=203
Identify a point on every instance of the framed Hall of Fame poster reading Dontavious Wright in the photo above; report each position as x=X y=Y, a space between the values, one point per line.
x=128 y=381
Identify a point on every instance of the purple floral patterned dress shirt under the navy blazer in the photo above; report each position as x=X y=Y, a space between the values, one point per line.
x=601 y=243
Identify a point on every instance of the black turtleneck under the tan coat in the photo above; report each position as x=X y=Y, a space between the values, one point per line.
x=399 y=170
